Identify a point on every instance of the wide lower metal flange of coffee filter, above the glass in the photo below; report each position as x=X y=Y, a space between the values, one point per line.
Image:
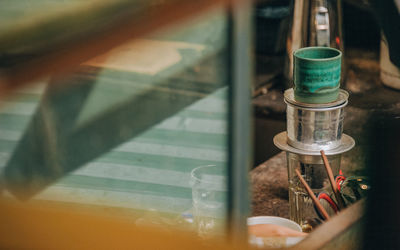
x=280 y=140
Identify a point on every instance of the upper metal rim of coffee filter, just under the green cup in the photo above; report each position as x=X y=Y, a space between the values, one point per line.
x=339 y=103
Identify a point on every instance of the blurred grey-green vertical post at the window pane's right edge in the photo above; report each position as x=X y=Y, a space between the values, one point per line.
x=240 y=143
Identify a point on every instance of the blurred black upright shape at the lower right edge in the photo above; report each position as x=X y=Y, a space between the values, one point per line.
x=382 y=228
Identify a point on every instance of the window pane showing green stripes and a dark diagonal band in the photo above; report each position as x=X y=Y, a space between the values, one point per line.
x=123 y=133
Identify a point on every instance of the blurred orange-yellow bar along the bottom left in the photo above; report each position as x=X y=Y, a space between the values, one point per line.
x=32 y=226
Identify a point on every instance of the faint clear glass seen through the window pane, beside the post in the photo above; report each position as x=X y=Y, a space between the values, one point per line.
x=209 y=195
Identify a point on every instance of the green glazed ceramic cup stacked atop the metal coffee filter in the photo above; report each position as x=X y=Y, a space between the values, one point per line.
x=316 y=74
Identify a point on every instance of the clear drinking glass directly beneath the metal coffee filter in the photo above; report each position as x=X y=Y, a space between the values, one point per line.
x=301 y=207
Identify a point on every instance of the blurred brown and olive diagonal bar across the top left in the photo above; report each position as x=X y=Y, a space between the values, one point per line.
x=54 y=43
